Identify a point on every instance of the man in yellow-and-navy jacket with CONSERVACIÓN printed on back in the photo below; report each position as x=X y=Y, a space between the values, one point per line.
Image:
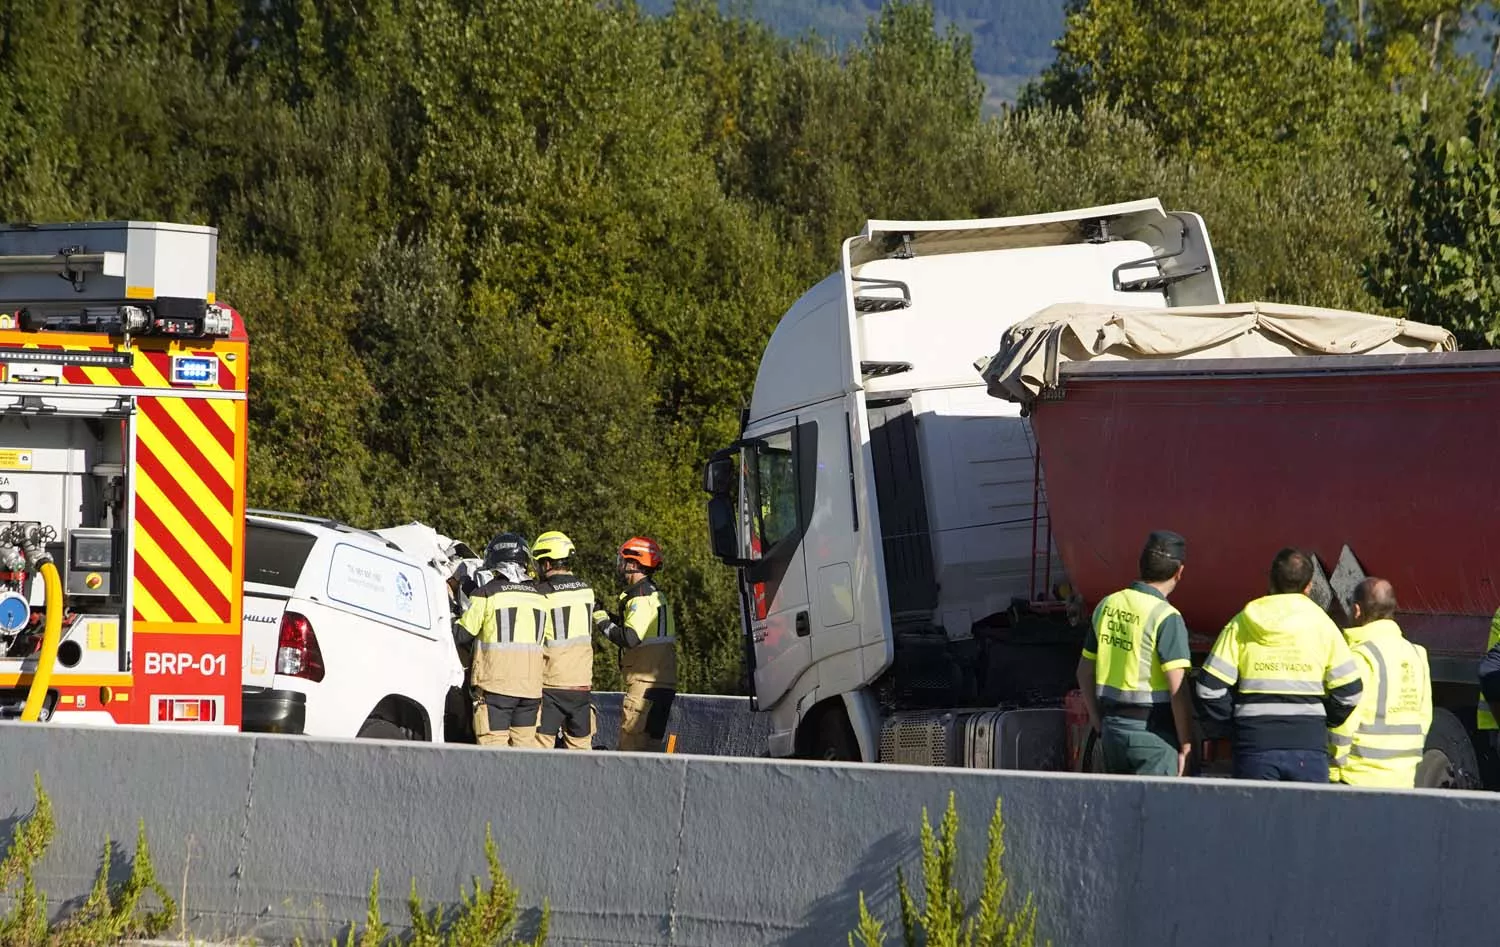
x=1283 y=675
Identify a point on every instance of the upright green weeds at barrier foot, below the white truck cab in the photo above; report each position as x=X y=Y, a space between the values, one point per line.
x=943 y=919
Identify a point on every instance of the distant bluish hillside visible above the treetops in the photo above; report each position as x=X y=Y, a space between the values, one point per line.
x=1012 y=38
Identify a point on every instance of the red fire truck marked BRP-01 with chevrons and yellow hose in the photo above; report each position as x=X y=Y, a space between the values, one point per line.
x=122 y=478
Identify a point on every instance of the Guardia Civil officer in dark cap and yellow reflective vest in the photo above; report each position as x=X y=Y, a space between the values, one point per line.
x=1133 y=669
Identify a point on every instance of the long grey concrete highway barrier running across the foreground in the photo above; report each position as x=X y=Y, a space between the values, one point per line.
x=274 y=837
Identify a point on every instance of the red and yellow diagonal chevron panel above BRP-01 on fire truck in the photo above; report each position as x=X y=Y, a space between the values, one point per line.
x=187 y=454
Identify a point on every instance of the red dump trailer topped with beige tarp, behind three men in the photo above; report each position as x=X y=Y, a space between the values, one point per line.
x=1367 y=442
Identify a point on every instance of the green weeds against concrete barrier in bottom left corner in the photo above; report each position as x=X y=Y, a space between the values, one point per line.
x=109 y=916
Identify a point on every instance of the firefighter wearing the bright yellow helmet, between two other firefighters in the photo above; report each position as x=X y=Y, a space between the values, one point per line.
x=568 y=652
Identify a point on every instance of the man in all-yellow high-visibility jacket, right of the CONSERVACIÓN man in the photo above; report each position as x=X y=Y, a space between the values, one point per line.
x=1382 y=742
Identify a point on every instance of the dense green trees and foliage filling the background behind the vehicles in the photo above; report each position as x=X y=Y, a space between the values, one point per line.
x=512 y=265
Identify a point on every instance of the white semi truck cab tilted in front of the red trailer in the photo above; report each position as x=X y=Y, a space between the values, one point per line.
x=898 y=585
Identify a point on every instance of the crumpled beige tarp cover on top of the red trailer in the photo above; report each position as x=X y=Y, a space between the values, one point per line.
x=1033 y=352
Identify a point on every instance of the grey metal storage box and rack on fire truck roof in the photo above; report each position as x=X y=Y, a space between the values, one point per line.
x=140 y=260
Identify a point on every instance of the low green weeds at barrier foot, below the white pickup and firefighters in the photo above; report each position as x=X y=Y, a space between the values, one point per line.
x=485 y=918
